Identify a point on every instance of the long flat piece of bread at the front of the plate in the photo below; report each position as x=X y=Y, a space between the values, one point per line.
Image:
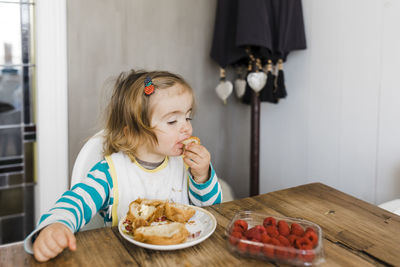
x=162 y=234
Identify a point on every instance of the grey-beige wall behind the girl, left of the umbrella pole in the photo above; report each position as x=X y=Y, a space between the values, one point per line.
x=107 y=37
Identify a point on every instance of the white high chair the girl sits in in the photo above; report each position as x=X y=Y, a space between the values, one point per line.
x=90 y=154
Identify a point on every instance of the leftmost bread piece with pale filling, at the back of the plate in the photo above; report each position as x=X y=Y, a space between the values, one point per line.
x=143 y=212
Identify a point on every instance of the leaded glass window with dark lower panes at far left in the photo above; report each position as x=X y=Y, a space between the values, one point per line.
x=17 y=124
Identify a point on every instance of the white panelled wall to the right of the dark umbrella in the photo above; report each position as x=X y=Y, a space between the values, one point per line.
x=339 y=124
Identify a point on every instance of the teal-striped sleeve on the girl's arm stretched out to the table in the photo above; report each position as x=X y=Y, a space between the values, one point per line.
x=78 y=205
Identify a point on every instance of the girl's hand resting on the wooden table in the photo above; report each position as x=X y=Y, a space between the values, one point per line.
x=52 y=240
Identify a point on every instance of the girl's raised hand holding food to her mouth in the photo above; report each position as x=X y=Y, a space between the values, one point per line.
x=198 y=159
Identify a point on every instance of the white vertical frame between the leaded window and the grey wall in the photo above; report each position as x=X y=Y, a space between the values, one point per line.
x=51 y=103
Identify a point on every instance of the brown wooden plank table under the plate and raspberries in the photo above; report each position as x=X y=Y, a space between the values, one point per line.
x=356 y=233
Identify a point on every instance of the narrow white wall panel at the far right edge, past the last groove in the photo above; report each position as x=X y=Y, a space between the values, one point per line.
x=388 y=172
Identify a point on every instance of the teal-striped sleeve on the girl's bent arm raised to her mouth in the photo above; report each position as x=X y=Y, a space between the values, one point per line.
x=206 y=194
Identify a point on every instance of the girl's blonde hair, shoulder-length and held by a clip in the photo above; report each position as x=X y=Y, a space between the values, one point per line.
x=128 y=115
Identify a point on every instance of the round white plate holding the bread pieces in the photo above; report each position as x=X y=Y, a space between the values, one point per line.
x=200 y=227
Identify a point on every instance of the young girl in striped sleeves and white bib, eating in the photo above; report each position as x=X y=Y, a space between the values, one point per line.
x=148 y=118
